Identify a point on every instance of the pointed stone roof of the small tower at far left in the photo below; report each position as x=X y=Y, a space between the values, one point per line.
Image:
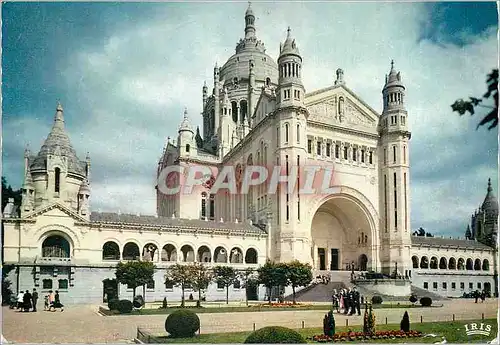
x=58 y=140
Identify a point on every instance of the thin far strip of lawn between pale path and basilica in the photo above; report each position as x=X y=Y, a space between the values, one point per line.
x=325 y=307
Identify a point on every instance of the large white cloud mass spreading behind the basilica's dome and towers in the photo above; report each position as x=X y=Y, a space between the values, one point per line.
x=126 y=94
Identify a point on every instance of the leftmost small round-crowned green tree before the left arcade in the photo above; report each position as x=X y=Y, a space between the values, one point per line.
x=135 y=273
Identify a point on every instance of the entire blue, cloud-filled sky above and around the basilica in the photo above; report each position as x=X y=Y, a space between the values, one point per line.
x=124 y=72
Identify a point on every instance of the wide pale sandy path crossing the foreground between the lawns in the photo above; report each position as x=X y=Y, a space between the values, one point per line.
x=82 y=324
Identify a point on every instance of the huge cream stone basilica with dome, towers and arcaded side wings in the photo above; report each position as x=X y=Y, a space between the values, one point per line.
x=257 y=112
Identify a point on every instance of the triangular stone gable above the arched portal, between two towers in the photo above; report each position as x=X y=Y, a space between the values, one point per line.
x=340 y=106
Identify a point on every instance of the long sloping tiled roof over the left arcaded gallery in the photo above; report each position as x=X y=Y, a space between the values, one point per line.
x=115 y=218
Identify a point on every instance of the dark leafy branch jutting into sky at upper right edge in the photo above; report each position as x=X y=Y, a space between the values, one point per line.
x=470 y=106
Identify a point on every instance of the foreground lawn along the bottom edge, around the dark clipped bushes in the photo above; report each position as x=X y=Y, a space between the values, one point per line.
x=454 y=332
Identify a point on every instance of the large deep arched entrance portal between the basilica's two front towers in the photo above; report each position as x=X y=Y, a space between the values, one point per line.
x=341 y=233
